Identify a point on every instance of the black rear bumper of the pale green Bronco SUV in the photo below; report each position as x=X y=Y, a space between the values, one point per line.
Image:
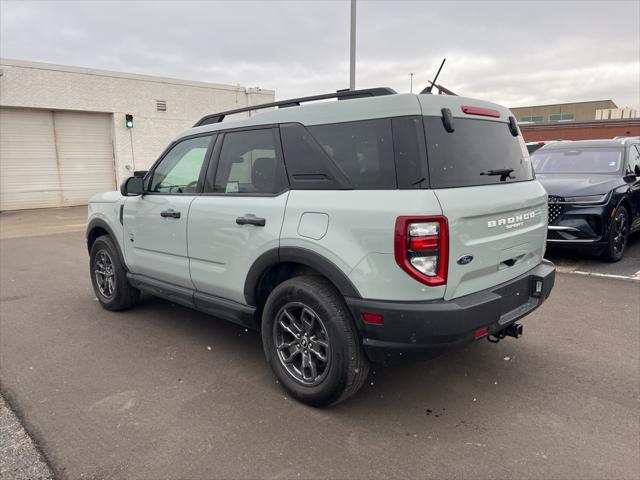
x=420 y=327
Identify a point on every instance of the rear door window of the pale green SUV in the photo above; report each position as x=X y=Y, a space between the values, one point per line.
x=250 y=162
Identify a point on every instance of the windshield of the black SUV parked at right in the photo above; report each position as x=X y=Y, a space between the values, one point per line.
x=586 y=160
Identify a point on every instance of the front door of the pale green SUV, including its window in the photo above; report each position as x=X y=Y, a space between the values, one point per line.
x=155 y=223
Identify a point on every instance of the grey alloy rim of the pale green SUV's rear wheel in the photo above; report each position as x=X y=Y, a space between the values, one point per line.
x=302 y=343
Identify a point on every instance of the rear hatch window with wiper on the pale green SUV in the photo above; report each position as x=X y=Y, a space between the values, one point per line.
x=466 y=156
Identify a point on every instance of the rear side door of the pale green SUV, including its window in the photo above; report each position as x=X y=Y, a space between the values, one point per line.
x=240 y=214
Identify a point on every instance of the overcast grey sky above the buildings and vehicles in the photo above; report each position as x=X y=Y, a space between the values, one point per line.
x=511 y=52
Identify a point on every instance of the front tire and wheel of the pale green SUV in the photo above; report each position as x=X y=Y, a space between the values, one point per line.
x=121 y=295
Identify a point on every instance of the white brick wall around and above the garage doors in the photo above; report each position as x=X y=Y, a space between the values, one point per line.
x=55 y=87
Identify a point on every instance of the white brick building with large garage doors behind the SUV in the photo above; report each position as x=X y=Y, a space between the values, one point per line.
x=63 y=135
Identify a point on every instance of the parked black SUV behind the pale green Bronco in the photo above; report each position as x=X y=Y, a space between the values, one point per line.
x=594 y=193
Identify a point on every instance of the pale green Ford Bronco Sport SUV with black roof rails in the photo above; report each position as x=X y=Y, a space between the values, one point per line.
x=347 y=232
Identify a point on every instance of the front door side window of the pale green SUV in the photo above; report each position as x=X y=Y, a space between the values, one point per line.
x=179 y=170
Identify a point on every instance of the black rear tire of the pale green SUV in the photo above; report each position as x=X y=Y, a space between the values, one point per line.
x=347 y=367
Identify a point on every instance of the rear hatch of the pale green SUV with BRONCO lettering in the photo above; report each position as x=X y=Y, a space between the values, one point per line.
x=482 y=176
